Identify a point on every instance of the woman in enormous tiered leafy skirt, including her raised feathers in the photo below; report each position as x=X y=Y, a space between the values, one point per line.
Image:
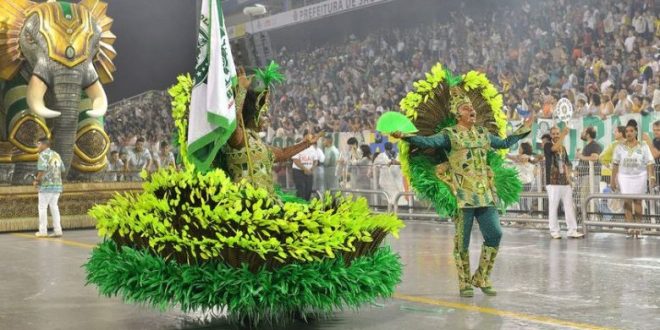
x=226 y=240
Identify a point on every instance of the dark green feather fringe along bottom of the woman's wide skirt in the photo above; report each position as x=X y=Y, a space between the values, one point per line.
x=265 y=296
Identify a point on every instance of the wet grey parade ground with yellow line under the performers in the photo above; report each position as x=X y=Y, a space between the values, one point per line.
x=602 y=282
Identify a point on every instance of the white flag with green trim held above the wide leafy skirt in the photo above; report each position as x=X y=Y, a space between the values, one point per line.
x=212 y=117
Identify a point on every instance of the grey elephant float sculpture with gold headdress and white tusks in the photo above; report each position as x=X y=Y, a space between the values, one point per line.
x=54 y=58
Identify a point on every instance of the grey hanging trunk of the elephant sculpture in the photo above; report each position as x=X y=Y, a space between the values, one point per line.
x=64 y=97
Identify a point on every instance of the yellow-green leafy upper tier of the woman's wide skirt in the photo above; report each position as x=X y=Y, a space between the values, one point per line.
x=193 y=217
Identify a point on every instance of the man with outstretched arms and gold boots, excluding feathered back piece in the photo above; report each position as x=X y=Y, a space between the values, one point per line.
x=471 y=180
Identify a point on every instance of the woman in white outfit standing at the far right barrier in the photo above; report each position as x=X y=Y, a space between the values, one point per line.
x=632 y=170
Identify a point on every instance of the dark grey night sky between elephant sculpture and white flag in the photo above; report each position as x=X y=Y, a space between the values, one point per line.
x=155 y=43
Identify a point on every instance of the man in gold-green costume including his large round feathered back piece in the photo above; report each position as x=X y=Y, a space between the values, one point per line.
x=452 y=162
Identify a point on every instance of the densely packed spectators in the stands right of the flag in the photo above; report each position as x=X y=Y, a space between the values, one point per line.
x=601 y=55
